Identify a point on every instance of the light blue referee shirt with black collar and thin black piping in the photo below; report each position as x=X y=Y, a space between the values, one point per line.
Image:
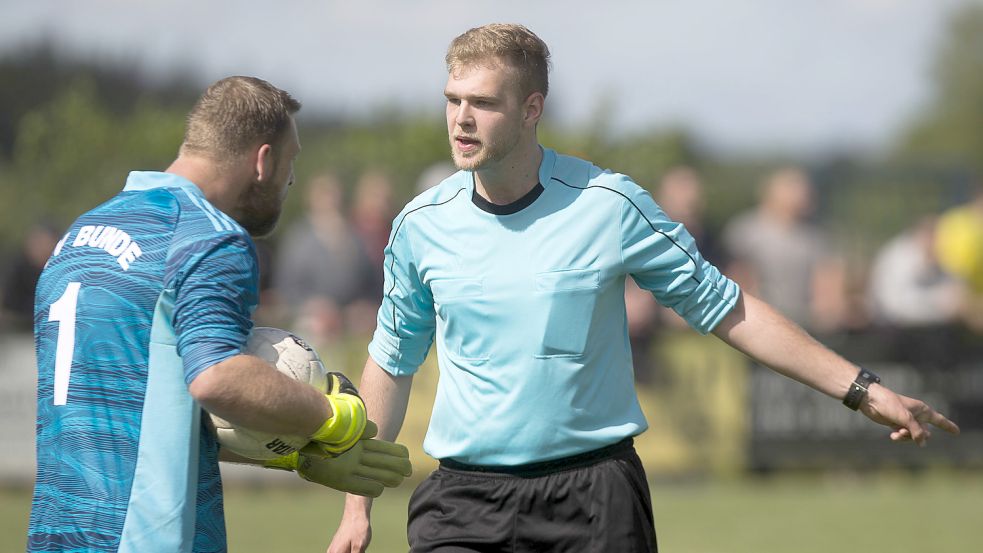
x=527 y=309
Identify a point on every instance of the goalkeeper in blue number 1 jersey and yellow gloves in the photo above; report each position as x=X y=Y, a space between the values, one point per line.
x=140 y=317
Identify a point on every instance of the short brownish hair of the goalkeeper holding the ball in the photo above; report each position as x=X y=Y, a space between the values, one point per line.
x=236 y=114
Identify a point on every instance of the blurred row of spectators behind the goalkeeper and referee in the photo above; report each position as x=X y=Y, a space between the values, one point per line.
x=921 y=293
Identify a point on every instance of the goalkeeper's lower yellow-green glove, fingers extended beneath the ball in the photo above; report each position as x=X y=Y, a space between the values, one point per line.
x=365 y=469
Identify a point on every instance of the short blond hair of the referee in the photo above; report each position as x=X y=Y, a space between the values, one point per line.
x=513 y=44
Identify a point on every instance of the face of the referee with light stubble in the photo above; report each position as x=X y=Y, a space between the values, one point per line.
x=484 y=115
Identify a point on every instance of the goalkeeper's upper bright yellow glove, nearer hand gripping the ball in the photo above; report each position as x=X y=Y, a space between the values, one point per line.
x=348 y=419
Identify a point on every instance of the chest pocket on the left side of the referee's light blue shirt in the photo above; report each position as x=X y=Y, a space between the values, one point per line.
x=457 y=308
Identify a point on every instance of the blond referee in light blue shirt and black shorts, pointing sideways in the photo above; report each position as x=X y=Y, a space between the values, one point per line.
x=515 y=266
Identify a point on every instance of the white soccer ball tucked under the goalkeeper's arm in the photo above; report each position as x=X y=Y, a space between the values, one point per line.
x=294 y=358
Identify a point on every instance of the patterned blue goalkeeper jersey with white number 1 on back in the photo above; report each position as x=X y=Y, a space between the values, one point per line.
x=141 y=294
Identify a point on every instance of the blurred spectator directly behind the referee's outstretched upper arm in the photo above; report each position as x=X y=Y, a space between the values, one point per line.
x=680 y=195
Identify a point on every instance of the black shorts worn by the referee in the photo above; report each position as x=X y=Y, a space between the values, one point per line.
x=595 y=502
